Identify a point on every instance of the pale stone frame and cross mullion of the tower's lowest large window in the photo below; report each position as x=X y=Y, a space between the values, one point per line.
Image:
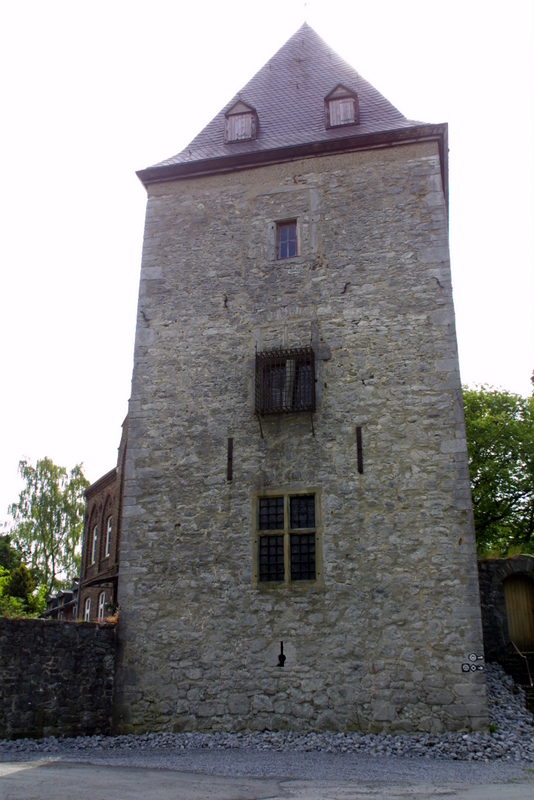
x=286 y=493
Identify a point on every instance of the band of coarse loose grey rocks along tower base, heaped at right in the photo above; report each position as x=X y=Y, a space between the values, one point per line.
x=511 y=739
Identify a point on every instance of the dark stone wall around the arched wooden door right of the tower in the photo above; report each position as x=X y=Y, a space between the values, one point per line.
x=492 y=573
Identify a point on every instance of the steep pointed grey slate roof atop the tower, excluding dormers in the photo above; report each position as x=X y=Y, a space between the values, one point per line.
x=288 y=94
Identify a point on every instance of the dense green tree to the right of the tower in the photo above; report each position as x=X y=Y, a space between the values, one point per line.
x=500 y=446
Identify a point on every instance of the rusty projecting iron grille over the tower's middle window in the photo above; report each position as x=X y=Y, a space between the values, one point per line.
x=285 y=381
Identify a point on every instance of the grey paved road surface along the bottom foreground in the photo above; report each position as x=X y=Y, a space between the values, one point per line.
x=60 y=780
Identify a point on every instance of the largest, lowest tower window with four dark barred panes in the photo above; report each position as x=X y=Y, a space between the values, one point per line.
x=286 y=538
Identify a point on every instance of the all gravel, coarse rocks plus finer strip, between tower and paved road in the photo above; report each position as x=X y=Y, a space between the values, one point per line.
x=265 y=753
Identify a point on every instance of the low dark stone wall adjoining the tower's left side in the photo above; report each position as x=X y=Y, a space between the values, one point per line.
x=56 y=678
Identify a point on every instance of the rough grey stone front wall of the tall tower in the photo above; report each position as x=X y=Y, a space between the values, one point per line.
x=378 y=642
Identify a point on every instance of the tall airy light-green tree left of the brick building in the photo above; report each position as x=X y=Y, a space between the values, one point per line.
x=49 y=520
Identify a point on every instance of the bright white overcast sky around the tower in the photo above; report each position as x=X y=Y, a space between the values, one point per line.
x=92 y=91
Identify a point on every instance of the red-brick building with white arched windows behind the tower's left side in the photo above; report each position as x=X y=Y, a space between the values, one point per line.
x=99 y=573
